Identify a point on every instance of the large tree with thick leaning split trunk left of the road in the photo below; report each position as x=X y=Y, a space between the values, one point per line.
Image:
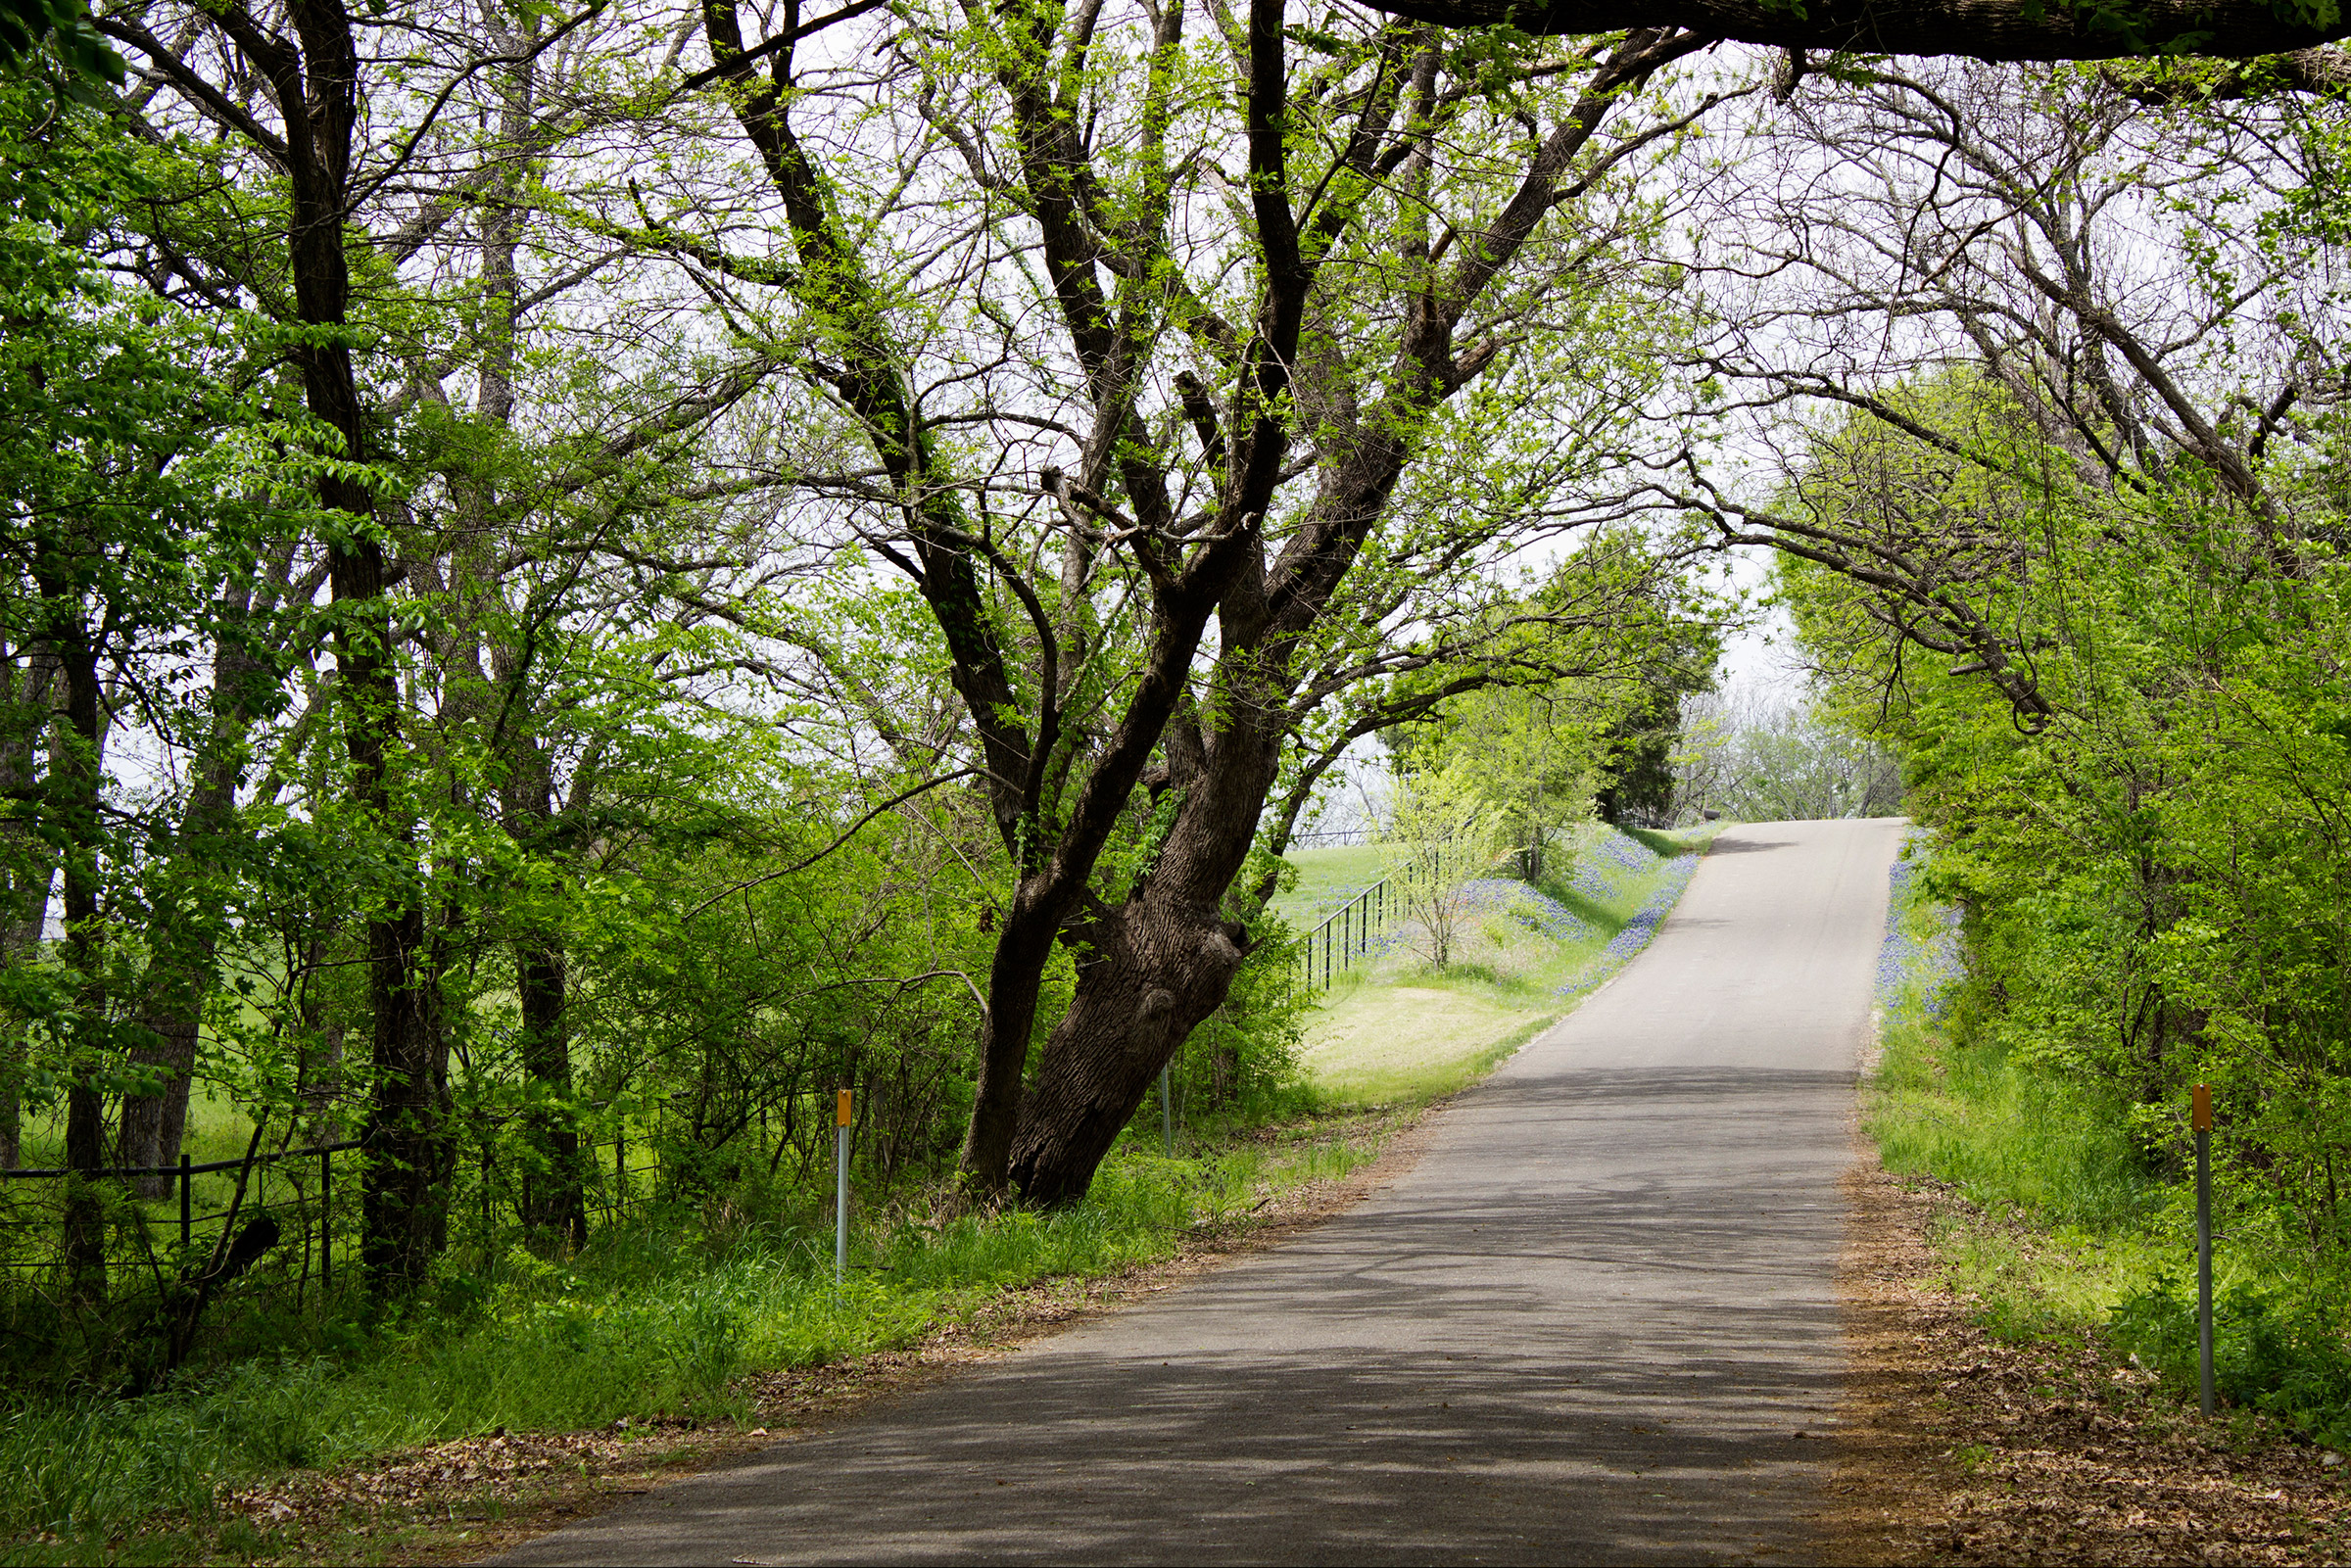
x=1172 y=507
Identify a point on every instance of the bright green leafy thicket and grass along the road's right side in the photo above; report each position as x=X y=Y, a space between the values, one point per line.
x=2155 y=878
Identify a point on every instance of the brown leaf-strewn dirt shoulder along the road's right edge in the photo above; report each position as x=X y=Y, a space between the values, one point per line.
x=1962 y=1449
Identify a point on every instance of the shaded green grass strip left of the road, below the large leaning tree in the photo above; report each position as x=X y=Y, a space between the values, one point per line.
x=659 y=1320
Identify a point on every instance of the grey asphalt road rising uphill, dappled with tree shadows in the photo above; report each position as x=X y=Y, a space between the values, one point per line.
x=1595 y=1322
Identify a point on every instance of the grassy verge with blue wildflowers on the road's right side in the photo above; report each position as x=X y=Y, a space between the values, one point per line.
x=2075 y=1231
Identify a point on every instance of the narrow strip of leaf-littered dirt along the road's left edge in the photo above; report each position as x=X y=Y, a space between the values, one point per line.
x=464 y=1501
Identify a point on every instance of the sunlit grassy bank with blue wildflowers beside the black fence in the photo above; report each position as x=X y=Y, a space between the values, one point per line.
x=1400 y=1031
